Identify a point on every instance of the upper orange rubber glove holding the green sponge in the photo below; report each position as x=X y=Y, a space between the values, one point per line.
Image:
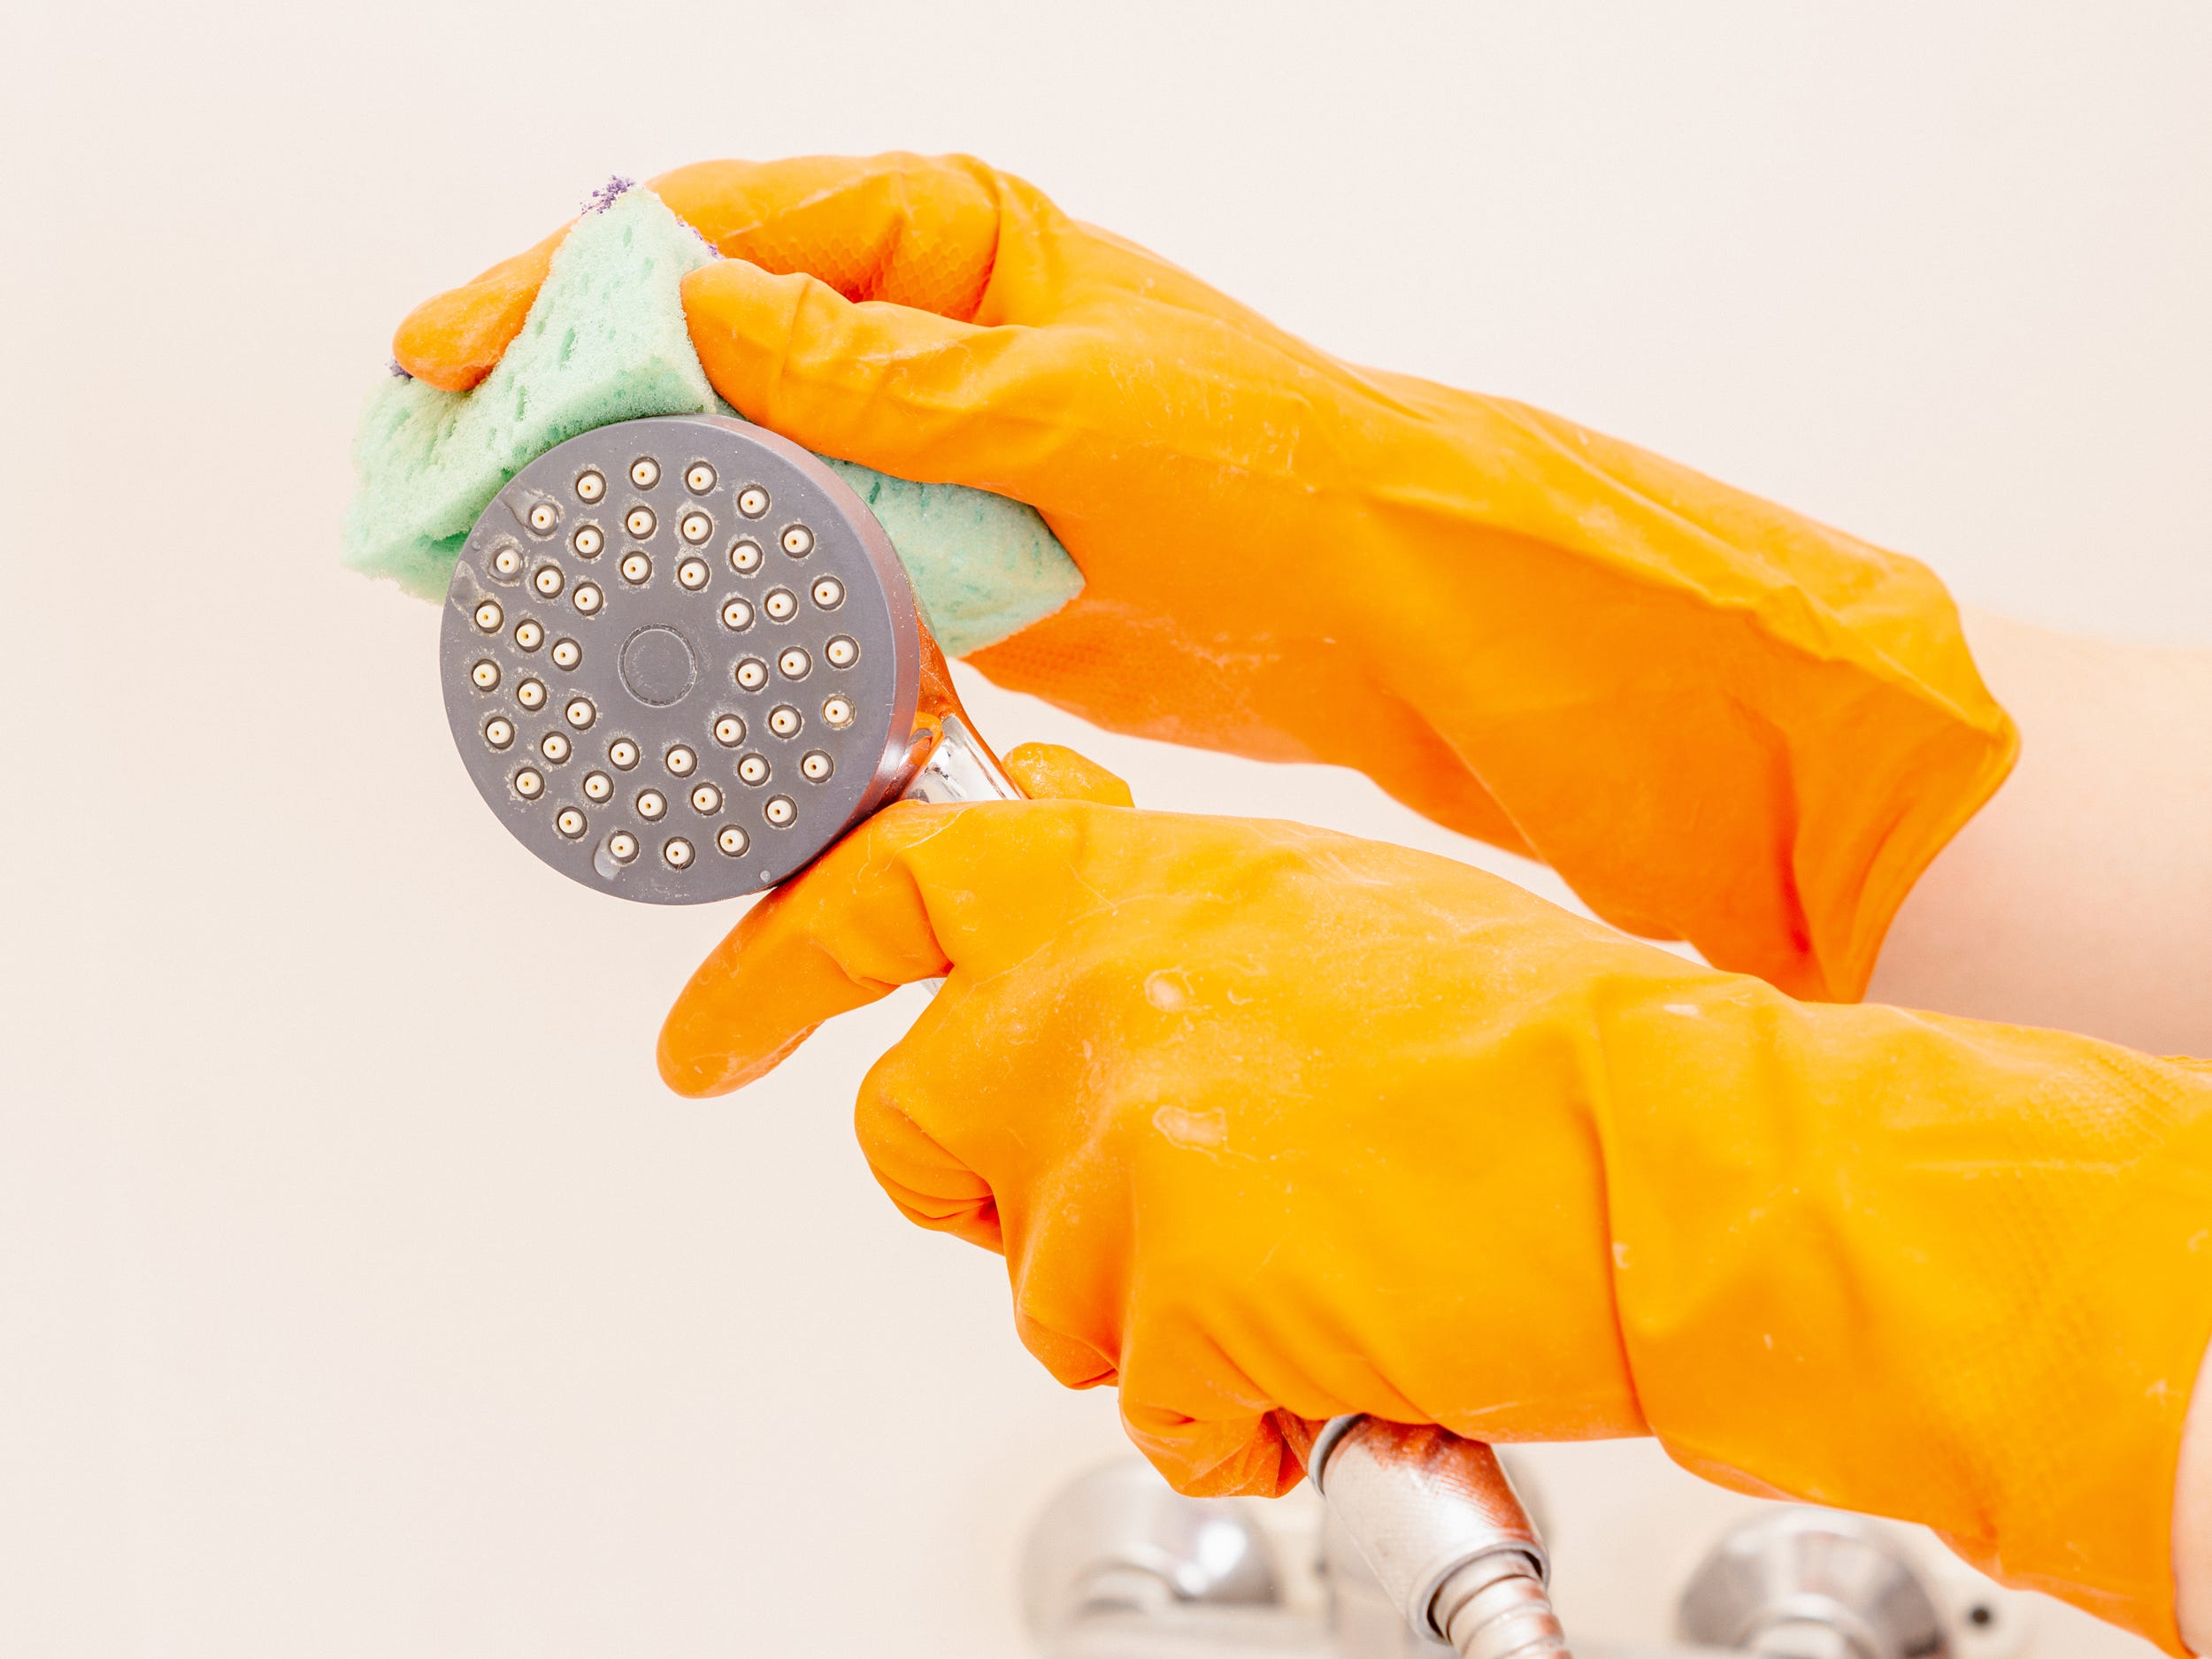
x=1713 y=718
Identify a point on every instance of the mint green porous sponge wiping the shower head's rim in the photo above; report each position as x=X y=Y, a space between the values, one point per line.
x=607 y=342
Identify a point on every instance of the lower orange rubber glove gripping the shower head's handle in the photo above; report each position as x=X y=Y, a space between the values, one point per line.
x=1271 y=1120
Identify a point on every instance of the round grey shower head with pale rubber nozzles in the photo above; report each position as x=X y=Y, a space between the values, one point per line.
x=680 y=660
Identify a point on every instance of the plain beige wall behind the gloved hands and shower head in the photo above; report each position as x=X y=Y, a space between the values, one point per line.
x=359 y=1288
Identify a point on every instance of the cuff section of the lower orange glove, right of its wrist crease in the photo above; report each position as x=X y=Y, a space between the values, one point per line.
x=1934 y=1269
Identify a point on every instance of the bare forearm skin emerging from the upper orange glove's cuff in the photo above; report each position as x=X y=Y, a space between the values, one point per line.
x=2083 y=895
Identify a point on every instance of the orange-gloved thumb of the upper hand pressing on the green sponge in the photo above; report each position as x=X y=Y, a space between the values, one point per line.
x=888 y=386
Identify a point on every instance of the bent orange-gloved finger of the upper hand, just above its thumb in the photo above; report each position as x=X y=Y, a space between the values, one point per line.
x=906 y=229
